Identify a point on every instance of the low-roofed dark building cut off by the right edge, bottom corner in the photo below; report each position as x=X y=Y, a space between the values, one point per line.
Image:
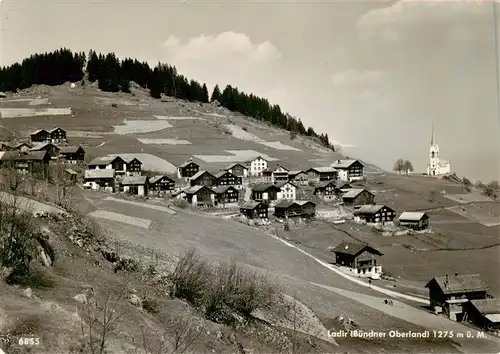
x=483 y=313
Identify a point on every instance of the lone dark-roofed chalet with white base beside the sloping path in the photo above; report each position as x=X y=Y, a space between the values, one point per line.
x=359 y=259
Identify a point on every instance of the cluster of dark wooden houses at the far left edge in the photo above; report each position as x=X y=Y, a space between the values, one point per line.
x=35 y=155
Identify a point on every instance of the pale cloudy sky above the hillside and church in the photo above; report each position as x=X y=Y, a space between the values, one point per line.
x=374 y=75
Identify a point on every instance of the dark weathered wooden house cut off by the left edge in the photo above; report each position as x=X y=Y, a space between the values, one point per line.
x=36 y=162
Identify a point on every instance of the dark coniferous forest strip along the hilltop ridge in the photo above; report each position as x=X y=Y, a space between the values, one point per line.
x=114 y=75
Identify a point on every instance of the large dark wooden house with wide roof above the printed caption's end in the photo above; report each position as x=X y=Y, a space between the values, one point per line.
x=448 y=294
